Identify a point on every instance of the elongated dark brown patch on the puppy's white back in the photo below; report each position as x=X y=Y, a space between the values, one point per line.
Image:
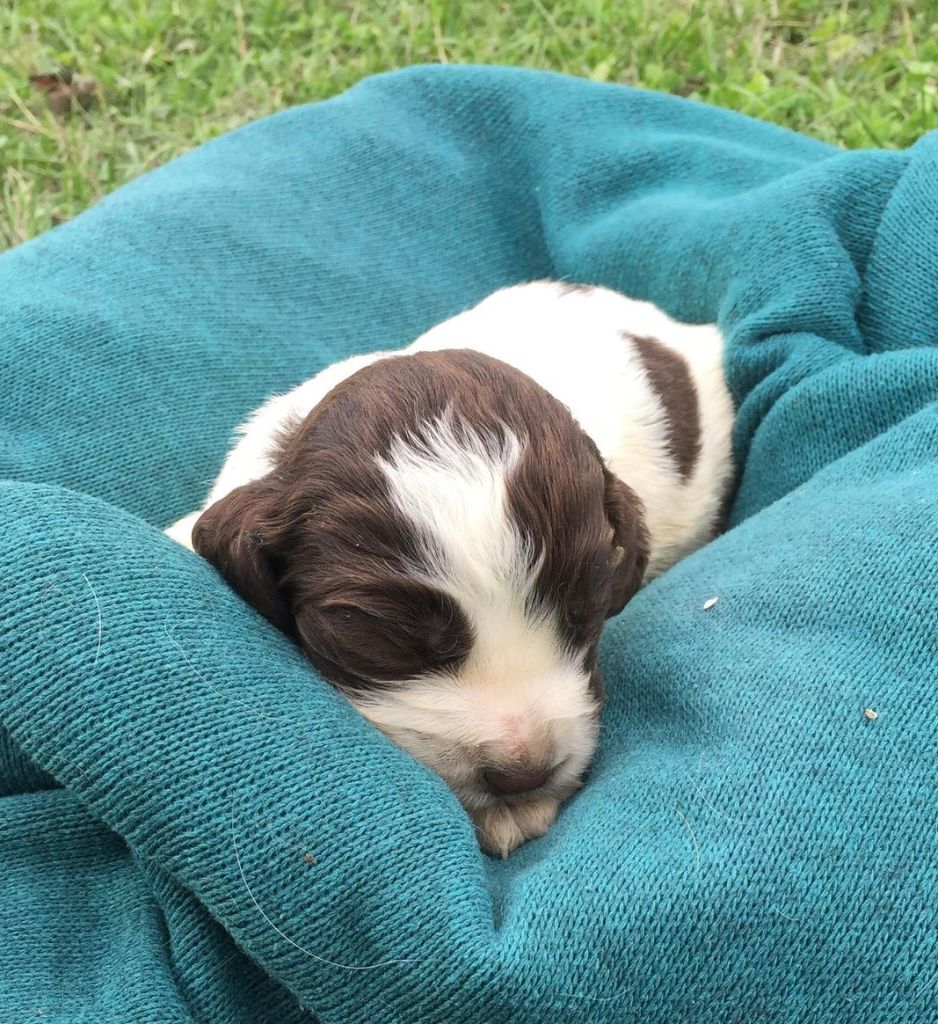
x=670 y=376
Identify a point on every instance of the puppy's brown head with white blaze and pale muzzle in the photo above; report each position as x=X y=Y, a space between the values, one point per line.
x=445 y=543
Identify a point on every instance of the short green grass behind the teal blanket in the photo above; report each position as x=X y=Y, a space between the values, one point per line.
x=175 y=73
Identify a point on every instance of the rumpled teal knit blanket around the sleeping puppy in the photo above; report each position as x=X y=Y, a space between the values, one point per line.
x=195 y=828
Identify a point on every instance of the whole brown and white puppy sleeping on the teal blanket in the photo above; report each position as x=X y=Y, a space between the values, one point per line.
x=445 y=530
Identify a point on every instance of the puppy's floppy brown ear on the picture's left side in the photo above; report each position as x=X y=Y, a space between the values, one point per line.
x=238 y=535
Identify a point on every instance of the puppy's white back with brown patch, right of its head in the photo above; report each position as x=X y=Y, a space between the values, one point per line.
x=650 y=392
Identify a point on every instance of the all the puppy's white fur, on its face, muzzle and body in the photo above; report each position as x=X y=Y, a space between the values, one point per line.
x=521 y=695
